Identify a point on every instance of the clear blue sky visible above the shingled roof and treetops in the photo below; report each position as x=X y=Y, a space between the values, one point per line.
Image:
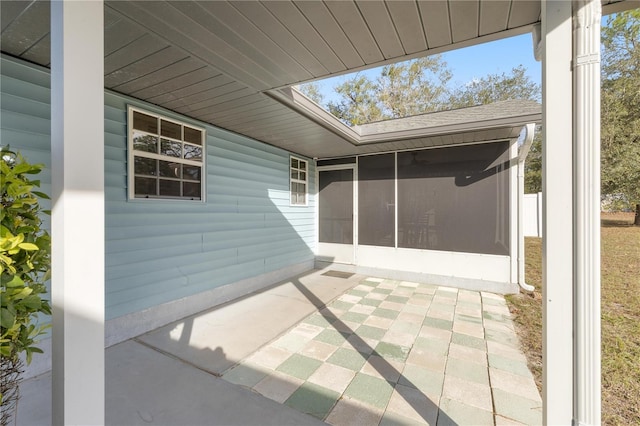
x=495 y=57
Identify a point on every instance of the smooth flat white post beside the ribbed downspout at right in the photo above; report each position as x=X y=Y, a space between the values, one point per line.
x=557 y=243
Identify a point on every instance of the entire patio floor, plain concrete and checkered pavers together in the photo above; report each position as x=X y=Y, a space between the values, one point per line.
x=322 y=348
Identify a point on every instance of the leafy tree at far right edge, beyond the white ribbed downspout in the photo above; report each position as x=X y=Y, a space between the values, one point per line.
x=620 y=131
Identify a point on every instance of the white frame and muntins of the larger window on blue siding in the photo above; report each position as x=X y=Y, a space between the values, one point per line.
x=133 y=153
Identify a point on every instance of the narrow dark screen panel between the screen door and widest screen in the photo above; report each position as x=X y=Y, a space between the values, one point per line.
x=376 y=200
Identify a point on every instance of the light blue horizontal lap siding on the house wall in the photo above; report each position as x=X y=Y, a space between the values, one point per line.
x=158 y=251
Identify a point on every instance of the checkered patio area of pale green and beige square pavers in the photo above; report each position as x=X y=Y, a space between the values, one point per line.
x=395 y=352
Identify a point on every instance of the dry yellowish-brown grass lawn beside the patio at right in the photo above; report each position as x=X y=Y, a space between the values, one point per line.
x=620 y=317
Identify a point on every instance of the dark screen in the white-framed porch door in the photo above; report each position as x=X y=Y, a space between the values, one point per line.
x=335 y=208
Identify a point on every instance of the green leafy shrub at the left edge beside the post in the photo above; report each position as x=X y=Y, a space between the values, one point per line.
x=25 y=259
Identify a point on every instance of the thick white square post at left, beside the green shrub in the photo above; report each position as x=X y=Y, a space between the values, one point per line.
x=77 y=154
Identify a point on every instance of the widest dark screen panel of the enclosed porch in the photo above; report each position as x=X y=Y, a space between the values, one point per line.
x=455 y=199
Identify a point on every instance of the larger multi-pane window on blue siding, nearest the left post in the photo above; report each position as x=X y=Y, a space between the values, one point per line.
x=165 y=158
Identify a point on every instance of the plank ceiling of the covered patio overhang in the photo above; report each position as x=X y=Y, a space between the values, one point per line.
x=216 y=60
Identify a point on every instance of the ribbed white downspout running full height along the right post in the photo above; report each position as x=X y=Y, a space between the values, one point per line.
x=586 y=149
